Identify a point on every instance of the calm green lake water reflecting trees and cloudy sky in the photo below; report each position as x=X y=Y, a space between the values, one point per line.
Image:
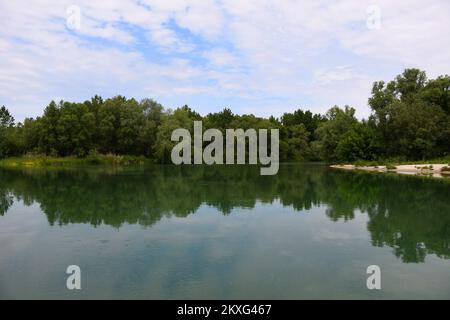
x=167 y=232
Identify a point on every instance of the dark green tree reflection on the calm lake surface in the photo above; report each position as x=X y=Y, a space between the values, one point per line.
x=411 y=215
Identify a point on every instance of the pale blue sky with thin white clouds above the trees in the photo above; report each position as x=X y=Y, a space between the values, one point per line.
x=254 y=56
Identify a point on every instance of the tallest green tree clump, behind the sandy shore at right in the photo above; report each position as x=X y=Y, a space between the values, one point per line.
x=410 y=115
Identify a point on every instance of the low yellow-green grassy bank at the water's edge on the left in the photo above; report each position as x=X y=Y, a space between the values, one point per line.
x=47 y=161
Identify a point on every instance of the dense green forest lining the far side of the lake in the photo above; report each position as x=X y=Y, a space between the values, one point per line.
x=410 y=120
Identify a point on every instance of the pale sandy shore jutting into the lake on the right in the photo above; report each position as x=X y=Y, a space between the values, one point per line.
x=434 y=170
